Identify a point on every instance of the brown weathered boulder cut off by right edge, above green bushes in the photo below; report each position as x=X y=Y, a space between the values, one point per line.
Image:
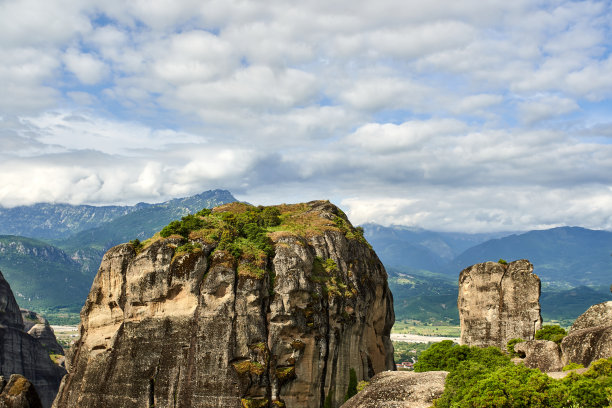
x=590 y=337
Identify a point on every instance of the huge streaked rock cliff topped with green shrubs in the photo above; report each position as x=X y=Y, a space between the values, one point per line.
x=246 y=306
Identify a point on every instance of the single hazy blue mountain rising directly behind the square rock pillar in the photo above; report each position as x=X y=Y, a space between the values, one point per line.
x=563 y=257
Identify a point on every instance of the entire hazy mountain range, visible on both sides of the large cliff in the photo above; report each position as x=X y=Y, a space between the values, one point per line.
x=50 y=253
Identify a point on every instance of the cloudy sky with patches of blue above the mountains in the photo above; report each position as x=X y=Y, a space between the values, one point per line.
x=471 y=116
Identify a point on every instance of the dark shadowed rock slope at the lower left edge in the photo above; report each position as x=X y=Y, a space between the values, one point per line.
x=22 y=354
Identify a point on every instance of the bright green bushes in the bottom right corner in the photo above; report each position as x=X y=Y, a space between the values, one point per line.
x=487 y=378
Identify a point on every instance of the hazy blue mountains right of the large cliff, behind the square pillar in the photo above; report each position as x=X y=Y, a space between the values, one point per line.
x=574 y=265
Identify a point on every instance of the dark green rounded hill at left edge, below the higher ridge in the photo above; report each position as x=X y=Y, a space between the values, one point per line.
x=41 y=275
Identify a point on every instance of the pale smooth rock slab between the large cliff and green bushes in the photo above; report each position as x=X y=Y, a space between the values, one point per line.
x=400 y=389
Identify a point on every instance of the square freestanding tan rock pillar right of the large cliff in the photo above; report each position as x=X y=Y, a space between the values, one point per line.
x=498 y=302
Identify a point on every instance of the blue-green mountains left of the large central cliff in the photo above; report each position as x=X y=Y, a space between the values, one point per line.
x=47 y=278
